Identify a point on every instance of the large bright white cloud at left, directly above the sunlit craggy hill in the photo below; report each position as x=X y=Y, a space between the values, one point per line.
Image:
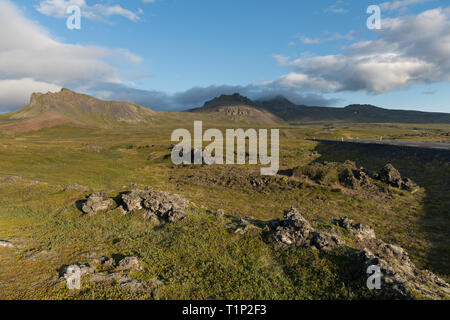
x=30 y=58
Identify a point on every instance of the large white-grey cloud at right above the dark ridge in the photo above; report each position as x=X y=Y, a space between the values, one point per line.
x=409 y=49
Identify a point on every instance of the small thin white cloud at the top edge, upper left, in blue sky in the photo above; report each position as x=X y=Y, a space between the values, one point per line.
x=58 y=8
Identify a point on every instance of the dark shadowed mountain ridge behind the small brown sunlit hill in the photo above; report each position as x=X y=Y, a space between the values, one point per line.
x=283 y=109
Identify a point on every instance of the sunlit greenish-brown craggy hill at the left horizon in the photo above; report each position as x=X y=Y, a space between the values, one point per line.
x=69 y=107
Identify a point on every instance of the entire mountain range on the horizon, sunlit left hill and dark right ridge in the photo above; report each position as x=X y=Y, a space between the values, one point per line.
x=70 y=108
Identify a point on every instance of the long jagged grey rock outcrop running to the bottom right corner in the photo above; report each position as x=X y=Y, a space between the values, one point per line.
x=399 y=276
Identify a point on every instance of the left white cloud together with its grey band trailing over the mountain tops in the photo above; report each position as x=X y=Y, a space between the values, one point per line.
x=31 y=61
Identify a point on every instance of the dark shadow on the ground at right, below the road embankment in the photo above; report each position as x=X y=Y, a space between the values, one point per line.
x=429 y=168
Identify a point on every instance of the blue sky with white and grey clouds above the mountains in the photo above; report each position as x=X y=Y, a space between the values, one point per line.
x=155 y=52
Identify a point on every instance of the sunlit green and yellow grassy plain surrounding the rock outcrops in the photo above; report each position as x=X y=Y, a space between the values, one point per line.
x=202 y=257
